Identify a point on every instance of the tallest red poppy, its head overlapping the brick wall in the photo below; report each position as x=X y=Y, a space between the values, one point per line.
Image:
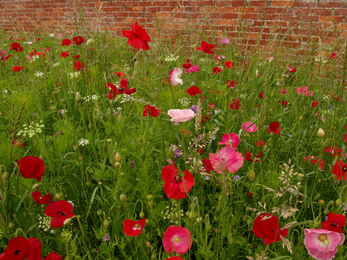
x=138 y=37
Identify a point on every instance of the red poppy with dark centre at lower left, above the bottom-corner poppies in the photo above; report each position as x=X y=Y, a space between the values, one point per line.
x=59 y=211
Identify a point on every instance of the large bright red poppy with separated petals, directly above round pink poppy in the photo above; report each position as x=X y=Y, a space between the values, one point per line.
x=176 y=186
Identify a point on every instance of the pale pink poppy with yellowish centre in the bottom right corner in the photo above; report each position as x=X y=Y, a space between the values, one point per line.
x=322 y=244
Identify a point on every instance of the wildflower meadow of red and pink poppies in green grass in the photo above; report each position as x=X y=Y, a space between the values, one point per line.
x=134 y=147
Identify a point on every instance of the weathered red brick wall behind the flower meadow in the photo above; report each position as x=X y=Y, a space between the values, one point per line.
x=267 y=22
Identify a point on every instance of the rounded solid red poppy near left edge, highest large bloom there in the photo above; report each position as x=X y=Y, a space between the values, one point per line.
x=31 y=167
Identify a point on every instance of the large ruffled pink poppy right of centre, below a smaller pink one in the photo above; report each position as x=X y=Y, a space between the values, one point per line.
x=226 y=159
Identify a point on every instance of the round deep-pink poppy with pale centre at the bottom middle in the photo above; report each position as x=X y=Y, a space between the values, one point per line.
x=177 y=239
